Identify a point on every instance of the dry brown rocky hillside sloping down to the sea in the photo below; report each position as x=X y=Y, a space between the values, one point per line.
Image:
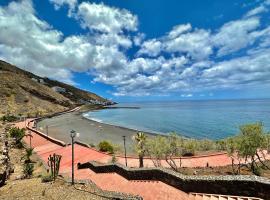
x=24 y=93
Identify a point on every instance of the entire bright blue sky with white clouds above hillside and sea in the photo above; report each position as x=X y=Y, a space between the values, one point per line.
x=130 y=50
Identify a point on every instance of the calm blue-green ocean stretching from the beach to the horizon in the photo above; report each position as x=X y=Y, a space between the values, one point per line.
x=212 y=119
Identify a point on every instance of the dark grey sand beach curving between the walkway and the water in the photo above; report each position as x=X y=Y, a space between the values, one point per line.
x=91 y=132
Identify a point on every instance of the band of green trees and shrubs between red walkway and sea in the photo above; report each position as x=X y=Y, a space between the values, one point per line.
x=248 y=148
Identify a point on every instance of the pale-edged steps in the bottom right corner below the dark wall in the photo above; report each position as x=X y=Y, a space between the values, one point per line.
x=202 y=196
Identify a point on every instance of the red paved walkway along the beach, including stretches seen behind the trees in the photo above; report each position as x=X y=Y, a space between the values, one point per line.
x=111 y=181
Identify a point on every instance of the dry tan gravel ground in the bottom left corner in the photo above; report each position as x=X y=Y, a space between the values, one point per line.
x=34 y=189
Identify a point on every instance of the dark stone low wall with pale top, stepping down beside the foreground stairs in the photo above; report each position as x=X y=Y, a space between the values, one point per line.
x=239 y=185
